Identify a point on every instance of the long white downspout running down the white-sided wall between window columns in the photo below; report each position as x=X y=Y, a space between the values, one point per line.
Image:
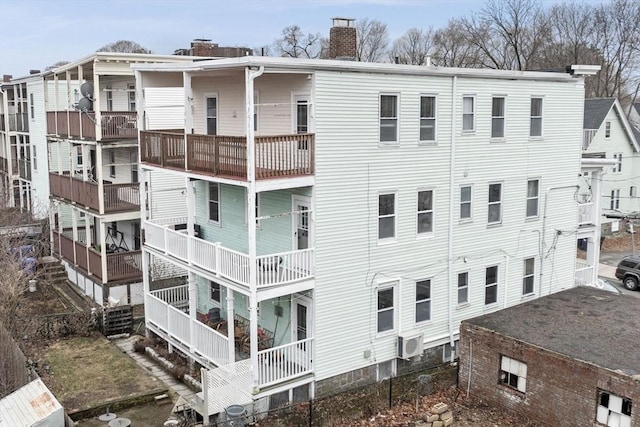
x=452 y=164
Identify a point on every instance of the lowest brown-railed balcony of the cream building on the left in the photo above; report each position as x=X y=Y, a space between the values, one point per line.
x=121 y=266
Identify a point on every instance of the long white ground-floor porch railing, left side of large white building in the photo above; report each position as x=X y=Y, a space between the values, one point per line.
x=174 y=324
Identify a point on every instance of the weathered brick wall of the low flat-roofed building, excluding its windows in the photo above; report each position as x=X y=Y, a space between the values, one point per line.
x=560 y=391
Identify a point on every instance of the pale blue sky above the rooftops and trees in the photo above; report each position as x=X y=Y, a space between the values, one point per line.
x=38 y=33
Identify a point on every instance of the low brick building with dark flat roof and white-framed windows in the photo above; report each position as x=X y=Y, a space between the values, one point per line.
x=568 y=359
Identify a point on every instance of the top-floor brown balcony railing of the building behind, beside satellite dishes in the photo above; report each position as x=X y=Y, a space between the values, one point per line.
x=74 y=124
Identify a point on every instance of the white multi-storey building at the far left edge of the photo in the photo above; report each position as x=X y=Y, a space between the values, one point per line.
x=23 y=146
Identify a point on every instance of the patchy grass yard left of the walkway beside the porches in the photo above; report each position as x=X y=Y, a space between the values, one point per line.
x=87 y=371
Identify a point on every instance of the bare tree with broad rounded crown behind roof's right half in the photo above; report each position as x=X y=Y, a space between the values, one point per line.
x=509 y=33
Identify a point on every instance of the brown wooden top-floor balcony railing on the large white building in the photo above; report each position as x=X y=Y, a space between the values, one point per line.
x=226 y=156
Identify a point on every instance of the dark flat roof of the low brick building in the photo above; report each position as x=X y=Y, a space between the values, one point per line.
x=583 y=323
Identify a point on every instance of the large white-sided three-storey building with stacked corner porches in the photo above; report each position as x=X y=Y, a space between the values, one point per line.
x=343 y=218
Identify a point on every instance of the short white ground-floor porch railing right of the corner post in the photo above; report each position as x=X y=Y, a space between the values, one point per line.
x=285 y=362
